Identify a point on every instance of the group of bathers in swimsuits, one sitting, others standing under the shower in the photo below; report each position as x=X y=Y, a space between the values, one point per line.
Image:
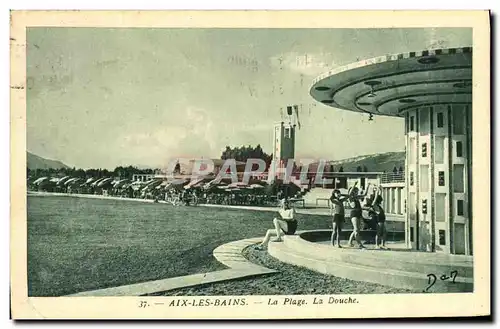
x=286 y=223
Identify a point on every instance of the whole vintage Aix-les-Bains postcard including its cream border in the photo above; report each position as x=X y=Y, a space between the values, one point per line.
x=250 y=164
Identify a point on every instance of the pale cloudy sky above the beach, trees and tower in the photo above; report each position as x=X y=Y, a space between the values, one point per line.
x=101 y=98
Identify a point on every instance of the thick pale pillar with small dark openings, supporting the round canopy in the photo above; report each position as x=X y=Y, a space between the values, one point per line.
x=438 y=158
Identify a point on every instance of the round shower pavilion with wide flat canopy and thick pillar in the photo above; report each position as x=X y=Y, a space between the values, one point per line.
x=431 y=91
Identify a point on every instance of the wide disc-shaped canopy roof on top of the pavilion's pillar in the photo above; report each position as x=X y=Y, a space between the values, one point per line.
x=390 y=85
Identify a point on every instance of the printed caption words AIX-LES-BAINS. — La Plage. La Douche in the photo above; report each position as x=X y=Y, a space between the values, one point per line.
x=273 y=301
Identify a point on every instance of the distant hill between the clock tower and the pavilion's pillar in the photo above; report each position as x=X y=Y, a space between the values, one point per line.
x=373 y=162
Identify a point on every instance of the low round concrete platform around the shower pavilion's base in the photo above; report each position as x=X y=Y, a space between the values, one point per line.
x=397 y=267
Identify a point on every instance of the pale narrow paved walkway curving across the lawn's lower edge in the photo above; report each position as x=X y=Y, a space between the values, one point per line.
x=229 y=254
